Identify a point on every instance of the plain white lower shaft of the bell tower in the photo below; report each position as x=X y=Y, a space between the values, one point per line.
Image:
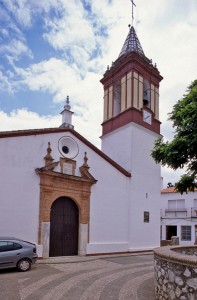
x=130 y=146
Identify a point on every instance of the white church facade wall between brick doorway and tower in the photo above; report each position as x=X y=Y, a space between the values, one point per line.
x=108 y=205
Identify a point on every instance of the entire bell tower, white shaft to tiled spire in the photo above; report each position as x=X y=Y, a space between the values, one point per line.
x=130 y=127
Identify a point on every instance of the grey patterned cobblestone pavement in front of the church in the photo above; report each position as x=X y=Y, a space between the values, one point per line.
x=126 y=277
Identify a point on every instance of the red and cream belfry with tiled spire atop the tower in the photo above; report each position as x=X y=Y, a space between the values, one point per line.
x=131 y=89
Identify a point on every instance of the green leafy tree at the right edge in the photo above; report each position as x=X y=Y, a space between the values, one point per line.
x=182 y=150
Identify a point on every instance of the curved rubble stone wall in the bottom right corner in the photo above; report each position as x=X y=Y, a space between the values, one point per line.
x=176 y=273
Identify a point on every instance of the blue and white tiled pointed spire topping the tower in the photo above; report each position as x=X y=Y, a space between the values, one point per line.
x=131 y=44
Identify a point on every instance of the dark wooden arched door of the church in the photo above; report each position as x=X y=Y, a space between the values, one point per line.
x=64 y=228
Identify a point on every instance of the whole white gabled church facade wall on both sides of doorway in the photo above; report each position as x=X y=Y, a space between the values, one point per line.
x=20 y=192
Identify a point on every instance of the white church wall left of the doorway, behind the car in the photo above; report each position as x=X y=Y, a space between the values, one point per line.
x=19 y=187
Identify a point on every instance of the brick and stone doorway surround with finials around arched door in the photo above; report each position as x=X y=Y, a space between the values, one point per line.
x=57 y=184
